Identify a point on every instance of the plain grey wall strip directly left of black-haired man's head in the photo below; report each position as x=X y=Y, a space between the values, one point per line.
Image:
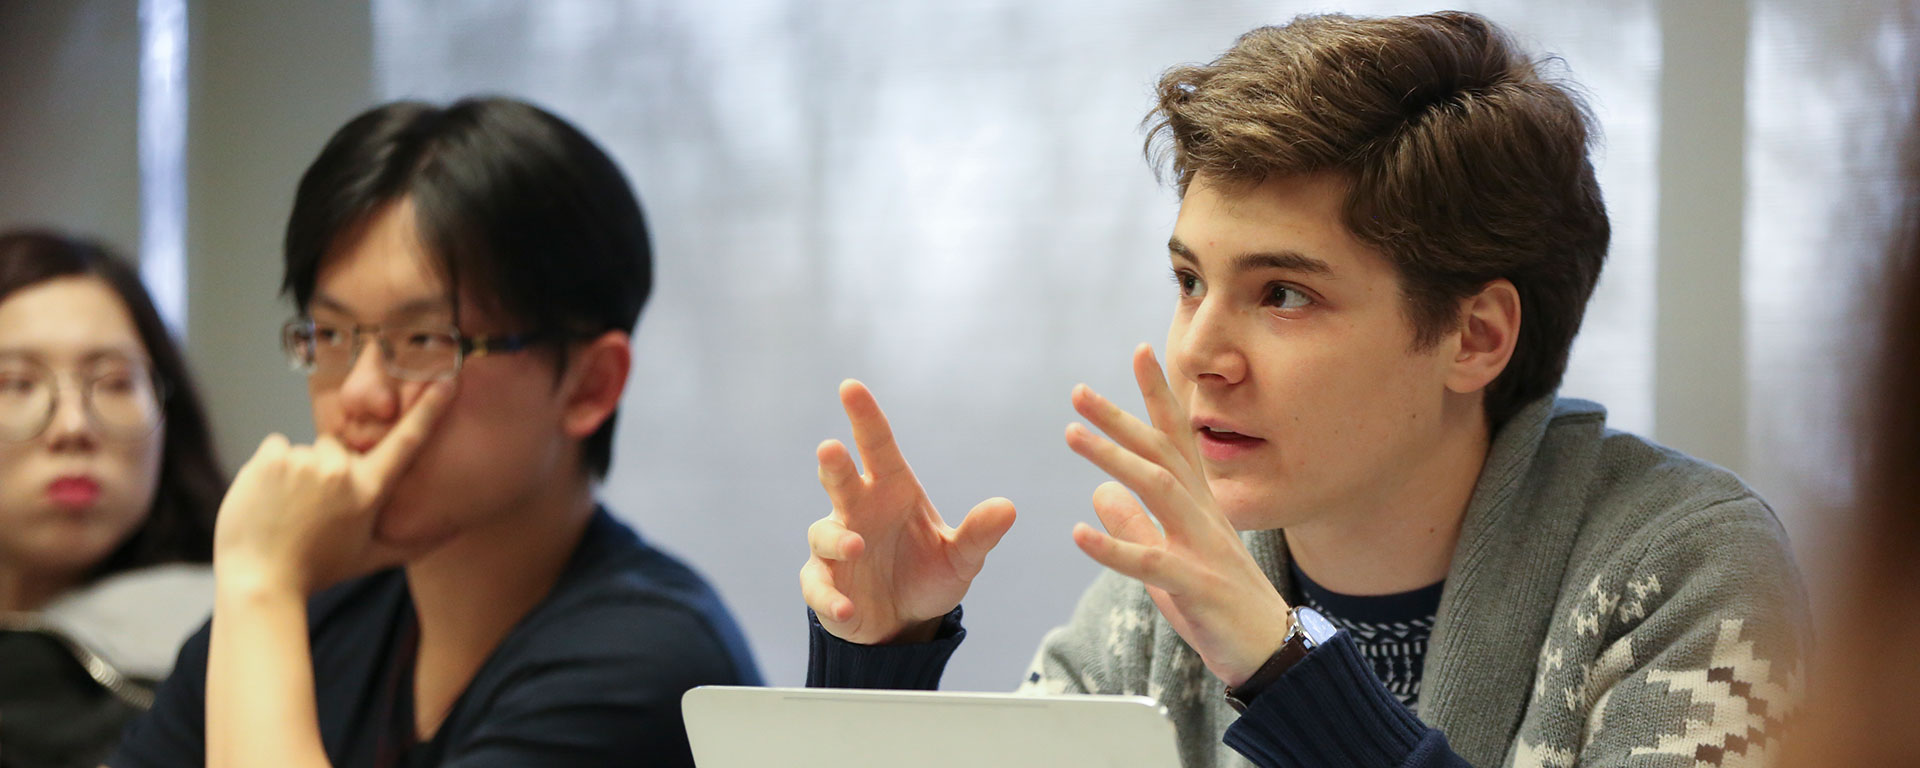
x=268 y=84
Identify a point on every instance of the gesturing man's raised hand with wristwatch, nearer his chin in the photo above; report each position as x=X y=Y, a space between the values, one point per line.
x=1195 y=567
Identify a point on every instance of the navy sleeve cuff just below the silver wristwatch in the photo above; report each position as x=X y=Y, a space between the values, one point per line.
x=1328 y=711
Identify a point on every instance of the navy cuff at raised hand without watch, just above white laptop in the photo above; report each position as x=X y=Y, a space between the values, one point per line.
x=913 y=667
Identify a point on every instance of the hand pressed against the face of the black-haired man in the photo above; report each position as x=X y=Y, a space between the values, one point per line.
x=302 y=517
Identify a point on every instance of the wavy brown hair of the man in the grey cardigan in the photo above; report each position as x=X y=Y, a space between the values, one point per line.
x=1464 y=164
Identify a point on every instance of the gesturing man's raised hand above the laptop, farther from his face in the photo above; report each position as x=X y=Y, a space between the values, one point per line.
x=884 y=565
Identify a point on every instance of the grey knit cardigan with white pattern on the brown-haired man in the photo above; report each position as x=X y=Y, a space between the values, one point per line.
x=1610 y=604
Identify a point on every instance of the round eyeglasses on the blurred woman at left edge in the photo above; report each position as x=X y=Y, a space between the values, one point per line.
x=122 y=398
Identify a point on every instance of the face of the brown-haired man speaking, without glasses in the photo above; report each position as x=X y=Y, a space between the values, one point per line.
x=1295 y=356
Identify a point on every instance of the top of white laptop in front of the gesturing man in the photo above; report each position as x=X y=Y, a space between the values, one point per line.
x=842 y=729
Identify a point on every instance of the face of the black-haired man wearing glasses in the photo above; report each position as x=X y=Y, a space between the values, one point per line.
x=500 y=439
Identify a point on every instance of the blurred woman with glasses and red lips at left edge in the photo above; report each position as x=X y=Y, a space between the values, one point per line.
x=108 y=489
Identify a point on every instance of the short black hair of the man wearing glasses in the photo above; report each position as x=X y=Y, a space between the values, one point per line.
x=512 y=203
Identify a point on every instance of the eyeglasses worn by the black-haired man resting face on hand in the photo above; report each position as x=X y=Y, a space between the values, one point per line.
x=416 y=354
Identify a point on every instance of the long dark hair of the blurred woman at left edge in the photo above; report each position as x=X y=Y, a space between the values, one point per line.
x=180 y=527
